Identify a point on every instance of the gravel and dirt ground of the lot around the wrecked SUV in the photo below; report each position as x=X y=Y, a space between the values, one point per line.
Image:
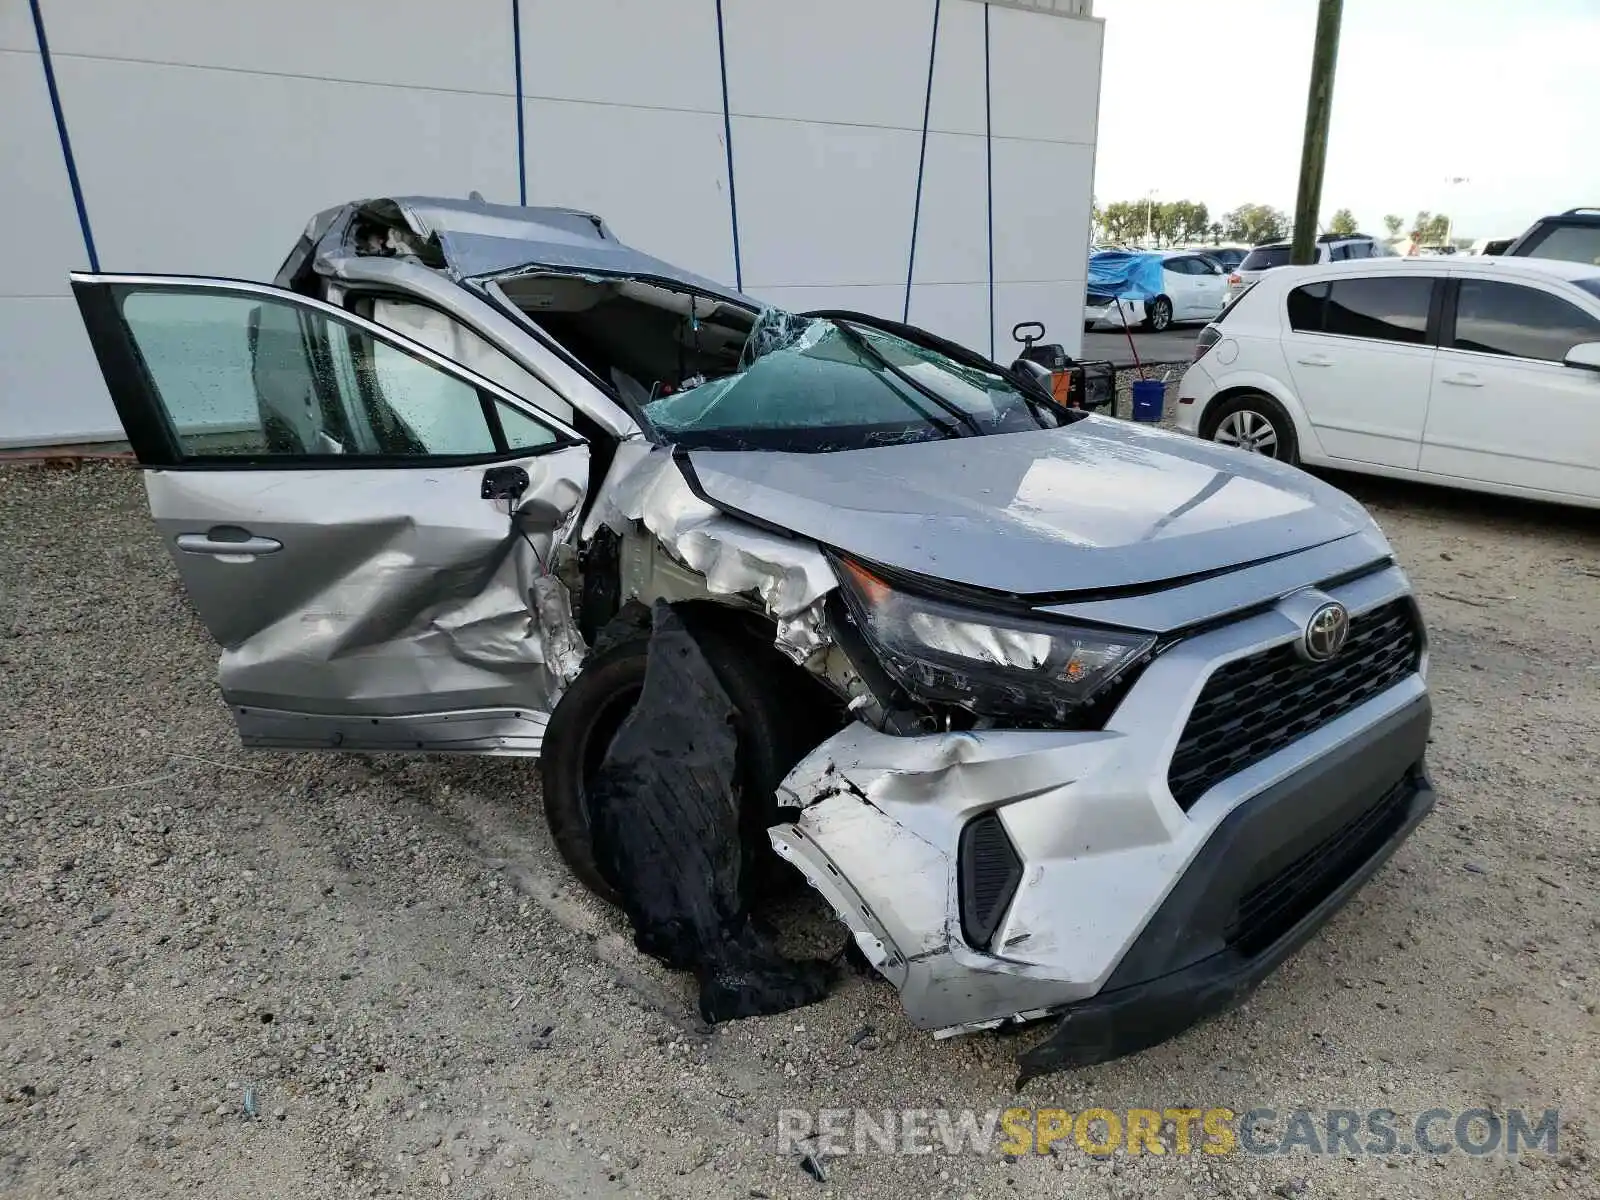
x=388 y=964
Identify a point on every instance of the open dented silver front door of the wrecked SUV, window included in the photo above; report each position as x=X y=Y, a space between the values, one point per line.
x=366 y=527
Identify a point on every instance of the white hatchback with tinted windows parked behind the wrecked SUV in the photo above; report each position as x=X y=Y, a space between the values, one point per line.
x=1471 y=372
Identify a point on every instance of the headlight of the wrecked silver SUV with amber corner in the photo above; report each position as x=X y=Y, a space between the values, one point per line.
x=988 y=663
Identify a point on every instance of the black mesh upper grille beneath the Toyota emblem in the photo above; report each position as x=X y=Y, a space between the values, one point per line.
x=1255 y=706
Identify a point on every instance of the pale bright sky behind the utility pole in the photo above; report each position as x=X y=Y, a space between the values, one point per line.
x=1206 y=100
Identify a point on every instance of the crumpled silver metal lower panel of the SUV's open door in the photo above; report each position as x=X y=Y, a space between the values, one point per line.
x=396 y=593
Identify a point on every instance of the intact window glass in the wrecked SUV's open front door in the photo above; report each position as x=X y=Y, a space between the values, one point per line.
x=258 y=377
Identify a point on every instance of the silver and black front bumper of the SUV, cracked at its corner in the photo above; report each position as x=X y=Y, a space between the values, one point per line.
x=1110 y=903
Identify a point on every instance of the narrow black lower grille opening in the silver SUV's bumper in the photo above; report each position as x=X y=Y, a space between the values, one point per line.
x=1273 y=908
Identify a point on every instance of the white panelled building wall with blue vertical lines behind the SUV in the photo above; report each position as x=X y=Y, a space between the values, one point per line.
x=206 y=134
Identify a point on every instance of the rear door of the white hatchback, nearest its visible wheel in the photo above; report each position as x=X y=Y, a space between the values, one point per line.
x=1362 y=361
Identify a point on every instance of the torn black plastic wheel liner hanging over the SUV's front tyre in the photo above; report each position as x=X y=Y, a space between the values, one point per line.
x=666 y=833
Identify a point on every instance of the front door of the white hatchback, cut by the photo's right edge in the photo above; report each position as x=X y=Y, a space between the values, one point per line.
x=1505 y=409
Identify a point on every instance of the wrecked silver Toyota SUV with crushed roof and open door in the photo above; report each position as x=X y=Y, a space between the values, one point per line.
x=1062 y=716
